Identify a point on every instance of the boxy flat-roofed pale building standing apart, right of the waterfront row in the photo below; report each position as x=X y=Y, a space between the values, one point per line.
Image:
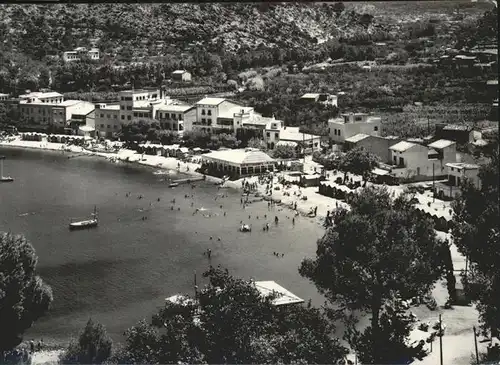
x=351 y=124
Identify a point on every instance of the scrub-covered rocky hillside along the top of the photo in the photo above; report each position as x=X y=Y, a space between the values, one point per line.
x=156 y=29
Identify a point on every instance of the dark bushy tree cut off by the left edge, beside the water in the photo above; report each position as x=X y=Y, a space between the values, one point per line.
x=24 y=296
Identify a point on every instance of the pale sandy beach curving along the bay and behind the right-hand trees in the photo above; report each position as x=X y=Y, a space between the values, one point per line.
x=459 y=320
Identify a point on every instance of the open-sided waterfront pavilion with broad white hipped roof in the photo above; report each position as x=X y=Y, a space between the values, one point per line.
x=238 y=162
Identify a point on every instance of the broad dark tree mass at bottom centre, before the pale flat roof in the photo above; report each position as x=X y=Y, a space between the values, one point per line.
x=229 y=322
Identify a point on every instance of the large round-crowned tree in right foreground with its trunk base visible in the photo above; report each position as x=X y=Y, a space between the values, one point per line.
x=380 y=251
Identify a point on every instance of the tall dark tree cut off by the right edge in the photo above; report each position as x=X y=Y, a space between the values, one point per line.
x=476 y=233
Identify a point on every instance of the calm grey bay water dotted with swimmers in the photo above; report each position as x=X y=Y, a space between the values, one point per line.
x=121 y=271
